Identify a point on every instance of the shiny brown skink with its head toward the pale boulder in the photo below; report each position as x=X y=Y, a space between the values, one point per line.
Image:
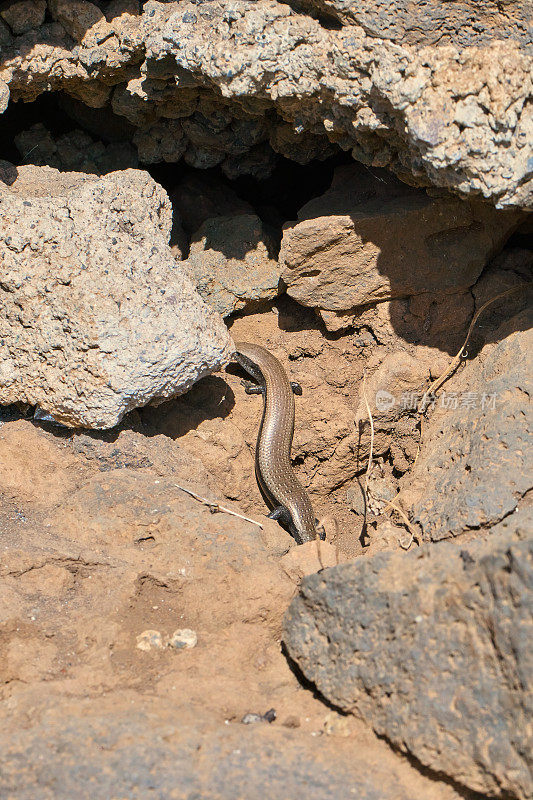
x=281 y=489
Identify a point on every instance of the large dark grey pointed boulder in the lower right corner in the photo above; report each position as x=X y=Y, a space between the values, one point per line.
x=431 y=648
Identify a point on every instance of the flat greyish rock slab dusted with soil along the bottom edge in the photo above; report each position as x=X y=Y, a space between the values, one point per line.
x=130 y=756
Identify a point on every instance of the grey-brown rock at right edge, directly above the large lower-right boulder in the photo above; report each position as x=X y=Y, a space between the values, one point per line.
x=475 y=460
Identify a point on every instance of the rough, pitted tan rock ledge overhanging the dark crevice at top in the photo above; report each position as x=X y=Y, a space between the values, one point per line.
x=233 y=82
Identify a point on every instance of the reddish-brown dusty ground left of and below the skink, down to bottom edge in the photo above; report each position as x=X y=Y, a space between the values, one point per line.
x=98 y=546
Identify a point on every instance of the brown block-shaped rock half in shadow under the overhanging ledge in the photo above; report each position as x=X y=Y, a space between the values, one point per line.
x=371 y=238
